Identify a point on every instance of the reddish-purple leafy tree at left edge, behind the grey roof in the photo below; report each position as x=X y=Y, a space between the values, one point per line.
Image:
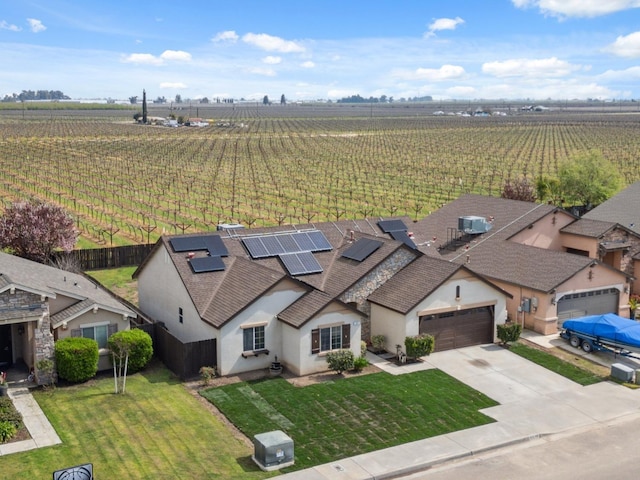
x=34 y=230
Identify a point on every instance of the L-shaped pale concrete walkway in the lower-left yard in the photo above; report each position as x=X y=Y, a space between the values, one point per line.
x=41 y=431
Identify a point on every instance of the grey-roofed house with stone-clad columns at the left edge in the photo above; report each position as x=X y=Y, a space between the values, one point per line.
x=40 y=304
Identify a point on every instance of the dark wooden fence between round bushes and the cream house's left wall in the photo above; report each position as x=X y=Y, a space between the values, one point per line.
x=183 y=359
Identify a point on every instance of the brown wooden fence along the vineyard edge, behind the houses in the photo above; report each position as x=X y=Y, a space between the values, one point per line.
x=108 y=257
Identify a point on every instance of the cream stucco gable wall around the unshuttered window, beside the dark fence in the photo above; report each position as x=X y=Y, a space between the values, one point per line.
x=263 y=311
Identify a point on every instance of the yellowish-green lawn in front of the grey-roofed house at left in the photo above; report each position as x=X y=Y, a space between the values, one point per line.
x=157 y=430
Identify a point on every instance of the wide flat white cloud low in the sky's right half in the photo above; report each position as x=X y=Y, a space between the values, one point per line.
x=526 y=67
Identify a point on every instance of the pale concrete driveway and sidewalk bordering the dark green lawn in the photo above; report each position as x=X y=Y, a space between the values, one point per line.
x=534 y=403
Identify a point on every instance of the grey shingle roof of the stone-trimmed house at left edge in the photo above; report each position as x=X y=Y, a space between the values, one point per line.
x=49 y=281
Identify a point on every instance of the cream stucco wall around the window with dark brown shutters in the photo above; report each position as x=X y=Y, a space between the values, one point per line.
x=296 y=353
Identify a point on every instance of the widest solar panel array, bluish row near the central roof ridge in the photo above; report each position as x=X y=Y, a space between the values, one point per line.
x=273 y=245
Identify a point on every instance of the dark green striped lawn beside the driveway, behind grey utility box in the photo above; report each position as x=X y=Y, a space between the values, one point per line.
x=347 y=417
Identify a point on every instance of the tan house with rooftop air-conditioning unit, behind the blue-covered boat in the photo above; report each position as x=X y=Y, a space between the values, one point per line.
x=521 y=248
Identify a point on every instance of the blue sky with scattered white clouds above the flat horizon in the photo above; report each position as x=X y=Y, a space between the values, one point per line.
x=322 y=49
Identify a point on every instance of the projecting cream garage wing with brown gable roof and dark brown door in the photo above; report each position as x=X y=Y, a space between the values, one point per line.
x=444 y=299
